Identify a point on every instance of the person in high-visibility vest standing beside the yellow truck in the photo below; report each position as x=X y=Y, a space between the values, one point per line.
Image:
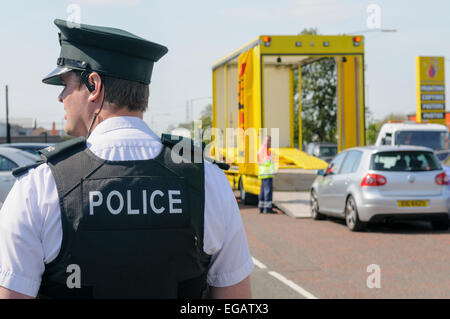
x=266 y=171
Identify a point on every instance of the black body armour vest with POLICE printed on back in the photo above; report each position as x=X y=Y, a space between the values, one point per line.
x=131 y=229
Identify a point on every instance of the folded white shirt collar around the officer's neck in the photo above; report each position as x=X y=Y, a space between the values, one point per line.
x=121 y=122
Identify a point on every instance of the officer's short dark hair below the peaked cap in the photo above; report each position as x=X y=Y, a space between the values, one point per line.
x=123 y=93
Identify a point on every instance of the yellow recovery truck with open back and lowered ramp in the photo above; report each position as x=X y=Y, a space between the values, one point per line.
x=253 y=95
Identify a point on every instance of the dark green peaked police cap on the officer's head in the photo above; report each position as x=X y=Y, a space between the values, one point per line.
x=107 y=51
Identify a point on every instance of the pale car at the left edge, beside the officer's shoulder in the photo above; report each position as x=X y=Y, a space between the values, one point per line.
x=11 y=158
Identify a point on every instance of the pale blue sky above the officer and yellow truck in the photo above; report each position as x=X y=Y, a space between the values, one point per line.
x=199 y=32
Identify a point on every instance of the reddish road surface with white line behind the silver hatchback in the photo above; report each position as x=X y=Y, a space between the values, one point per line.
x=303 y=258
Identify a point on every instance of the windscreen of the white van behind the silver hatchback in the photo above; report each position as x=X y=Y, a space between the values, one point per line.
x=436 y=140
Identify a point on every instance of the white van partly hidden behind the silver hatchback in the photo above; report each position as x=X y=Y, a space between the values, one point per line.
x=434 y=136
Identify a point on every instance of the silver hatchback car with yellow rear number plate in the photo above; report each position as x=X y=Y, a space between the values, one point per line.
x=378 y=183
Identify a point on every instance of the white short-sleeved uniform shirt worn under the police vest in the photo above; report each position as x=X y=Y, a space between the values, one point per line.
x=30 y=224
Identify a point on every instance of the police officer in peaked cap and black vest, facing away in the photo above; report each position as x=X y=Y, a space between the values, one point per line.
x=123 y=213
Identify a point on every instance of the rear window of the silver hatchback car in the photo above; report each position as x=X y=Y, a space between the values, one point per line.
x=403 y=161
